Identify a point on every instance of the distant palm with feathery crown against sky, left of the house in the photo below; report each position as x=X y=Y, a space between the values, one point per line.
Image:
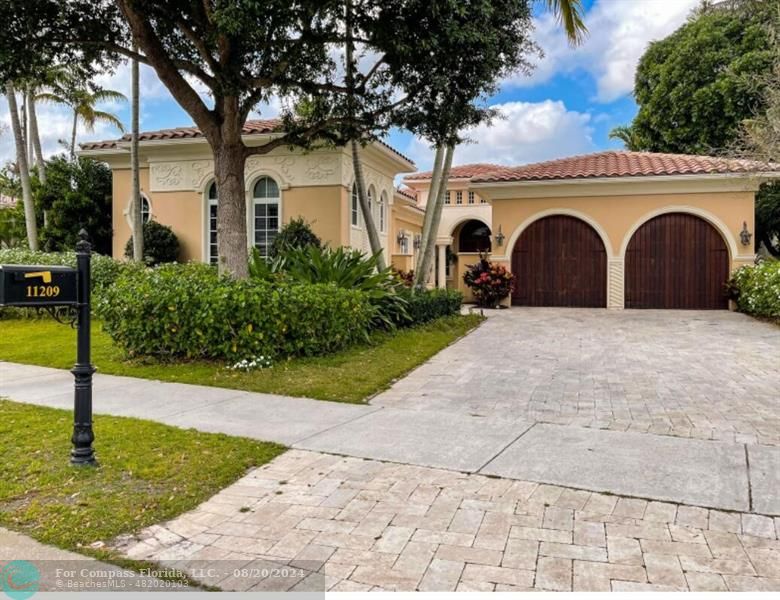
x=82 y=102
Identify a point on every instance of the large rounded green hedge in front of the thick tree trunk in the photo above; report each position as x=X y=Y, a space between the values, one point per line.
x=190 y=311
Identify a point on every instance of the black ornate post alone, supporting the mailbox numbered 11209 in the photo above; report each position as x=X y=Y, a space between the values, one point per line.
x=83 y=436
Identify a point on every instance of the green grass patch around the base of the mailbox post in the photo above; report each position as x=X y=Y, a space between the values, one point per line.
x=147 y=473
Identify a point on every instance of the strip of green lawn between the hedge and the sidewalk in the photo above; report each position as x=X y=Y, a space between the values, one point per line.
x=349 y=376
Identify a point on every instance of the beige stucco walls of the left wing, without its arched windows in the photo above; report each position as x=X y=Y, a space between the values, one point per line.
x=176 y=175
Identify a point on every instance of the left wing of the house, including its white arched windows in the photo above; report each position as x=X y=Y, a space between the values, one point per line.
x=177 y=184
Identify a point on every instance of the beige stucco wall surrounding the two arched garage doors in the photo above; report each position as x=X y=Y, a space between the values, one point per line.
x=614 y=207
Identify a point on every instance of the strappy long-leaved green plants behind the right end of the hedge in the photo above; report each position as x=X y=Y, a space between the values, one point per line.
x=342 y=267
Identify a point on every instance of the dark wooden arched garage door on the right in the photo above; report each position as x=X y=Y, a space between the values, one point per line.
x=676 y=260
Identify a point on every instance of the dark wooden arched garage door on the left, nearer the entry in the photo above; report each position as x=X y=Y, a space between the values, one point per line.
x=560 y=261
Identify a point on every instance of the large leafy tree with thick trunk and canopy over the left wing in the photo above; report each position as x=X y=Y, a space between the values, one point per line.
x=244 y=52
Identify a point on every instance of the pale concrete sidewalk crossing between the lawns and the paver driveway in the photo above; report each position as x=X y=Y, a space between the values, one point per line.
x=714 y=474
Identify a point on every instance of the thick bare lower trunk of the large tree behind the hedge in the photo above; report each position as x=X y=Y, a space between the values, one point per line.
x=232 y=238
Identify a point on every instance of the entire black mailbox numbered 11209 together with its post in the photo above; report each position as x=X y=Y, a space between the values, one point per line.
x=49 y=288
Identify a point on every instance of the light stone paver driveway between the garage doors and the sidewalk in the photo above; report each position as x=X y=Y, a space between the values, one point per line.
x=702 y=374
